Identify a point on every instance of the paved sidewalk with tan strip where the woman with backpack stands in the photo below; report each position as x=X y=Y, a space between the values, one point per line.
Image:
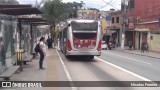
x=31 y=72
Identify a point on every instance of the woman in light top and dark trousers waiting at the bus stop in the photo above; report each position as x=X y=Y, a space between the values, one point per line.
x=42 y=52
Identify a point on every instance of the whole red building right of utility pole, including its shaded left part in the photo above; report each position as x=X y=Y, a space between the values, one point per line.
x=142 y=23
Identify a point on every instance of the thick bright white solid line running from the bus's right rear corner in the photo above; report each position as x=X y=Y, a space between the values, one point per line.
x=134 y=74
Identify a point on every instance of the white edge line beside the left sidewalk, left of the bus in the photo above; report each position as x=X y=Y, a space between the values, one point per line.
x=67 y=73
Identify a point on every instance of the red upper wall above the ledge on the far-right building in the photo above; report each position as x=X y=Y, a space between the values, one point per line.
x=148 y=11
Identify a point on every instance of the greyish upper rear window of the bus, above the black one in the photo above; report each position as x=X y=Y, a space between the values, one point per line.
x=84 y=26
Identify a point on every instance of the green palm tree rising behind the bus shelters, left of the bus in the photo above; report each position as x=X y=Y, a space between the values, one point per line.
x=53 y=11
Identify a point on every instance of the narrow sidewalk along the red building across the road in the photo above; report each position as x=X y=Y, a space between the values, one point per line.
x=138 y=52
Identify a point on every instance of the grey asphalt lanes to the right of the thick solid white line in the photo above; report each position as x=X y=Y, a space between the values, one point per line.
x=141 y=65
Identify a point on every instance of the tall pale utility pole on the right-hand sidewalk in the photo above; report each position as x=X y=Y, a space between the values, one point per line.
x=125 y=2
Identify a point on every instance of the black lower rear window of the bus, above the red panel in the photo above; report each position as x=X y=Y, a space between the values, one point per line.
x=84 y=35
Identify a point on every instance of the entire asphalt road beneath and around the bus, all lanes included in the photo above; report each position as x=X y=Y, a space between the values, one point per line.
x=110 y=66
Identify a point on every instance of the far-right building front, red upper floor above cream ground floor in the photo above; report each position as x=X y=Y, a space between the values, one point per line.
x=146 y=23
